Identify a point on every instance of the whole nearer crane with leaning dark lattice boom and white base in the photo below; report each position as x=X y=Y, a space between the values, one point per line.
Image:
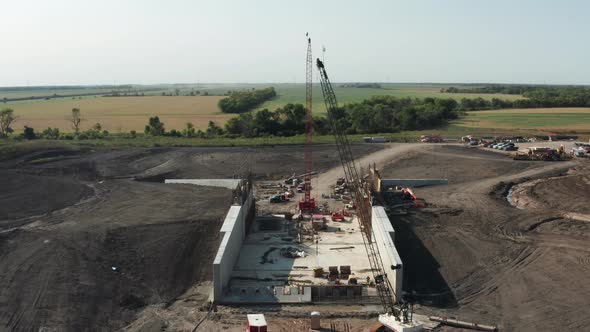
x=394 y=318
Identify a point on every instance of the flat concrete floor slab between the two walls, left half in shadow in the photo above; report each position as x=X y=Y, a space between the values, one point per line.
x=261 y=262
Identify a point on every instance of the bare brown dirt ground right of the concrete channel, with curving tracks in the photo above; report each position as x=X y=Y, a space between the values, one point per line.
x=472 y=255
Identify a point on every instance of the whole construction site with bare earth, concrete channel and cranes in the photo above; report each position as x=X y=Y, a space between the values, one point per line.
x=336 y=237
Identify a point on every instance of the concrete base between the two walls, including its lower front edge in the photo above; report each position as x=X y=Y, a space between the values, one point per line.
x=262 y=265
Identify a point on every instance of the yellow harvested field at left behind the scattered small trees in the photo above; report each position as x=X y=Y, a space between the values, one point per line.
x=120 y=114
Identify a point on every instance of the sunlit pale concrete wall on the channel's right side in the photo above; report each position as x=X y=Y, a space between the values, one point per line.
x=385 y=239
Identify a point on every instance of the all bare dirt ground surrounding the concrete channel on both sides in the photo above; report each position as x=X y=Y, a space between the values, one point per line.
x=469 y=253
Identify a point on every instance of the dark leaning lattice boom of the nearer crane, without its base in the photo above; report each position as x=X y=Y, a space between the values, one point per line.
x=360 y=194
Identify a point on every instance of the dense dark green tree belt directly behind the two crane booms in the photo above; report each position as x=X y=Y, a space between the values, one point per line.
x=379 y=114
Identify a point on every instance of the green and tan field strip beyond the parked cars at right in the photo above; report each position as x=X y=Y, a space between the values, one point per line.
x=558 y=119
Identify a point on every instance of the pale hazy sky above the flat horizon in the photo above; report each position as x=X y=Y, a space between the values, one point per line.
x=184 y=41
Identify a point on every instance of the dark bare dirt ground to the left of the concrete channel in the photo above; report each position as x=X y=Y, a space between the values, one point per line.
x=88 y=239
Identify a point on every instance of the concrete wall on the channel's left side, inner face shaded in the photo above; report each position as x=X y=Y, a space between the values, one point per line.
x=233 y=232
